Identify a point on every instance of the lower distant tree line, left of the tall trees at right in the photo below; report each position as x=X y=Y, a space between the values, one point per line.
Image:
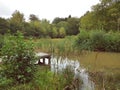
x=59 y=28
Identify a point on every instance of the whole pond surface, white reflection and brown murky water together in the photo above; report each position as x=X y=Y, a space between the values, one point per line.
x=101 y=61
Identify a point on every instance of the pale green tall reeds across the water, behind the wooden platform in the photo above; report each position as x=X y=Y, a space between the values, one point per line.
x=61 y=47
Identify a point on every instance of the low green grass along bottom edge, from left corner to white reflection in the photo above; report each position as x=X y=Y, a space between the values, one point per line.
x=46 y=80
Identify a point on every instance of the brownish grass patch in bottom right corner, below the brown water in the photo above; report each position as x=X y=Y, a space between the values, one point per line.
x=106 y=81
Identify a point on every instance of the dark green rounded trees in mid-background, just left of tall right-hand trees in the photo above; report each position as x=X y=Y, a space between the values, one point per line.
x=70 y=24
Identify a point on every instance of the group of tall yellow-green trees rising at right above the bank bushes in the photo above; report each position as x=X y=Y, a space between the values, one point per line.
x=104 y=16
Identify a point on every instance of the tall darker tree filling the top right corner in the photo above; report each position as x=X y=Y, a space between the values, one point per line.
x=107 y=12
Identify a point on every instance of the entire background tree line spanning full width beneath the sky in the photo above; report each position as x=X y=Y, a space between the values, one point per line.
x=104 y=16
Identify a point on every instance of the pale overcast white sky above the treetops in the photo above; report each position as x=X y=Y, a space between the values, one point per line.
x=46 y=9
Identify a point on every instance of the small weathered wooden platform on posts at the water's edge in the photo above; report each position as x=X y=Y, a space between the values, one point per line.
x=43 y=56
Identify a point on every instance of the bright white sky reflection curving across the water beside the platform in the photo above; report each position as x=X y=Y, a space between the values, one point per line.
x=58 y=64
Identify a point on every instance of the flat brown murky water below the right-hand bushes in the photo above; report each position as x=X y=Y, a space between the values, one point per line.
x=100 y=61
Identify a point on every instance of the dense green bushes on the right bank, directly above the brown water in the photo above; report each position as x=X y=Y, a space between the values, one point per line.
x=99 y=41
